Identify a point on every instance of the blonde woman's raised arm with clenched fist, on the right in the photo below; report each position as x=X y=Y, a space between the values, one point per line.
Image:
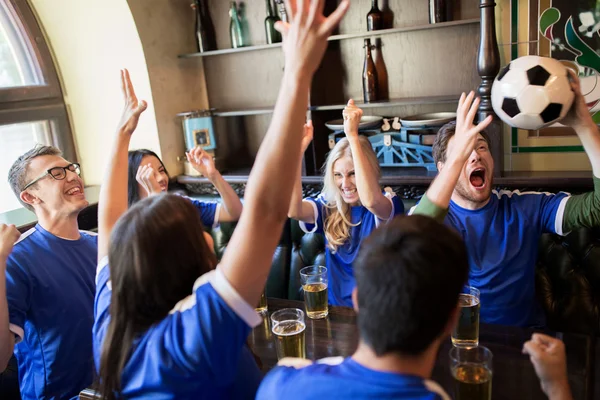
x=367 y=181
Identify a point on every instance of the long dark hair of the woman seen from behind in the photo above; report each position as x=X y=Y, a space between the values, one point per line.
x=157 y=251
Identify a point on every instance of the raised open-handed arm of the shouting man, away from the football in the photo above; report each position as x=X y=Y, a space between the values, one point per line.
x=437 y=198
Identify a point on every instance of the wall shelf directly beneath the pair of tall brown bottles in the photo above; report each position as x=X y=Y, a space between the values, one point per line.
x=390 y=103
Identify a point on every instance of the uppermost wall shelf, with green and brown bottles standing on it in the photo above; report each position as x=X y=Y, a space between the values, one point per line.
x=370 y=34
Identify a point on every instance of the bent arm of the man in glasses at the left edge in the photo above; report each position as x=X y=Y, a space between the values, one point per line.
x=8 y=236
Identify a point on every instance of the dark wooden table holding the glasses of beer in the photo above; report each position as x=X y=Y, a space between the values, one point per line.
x=514 y=376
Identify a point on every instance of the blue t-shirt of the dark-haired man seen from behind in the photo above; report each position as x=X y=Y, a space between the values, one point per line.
x=348 y=380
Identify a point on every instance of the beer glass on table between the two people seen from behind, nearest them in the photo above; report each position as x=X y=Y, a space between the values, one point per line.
x=288 y=327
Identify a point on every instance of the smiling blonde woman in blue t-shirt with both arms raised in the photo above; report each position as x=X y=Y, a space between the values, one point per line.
x=350 y=206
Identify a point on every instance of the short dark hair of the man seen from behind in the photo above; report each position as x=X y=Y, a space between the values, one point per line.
x=409 y=273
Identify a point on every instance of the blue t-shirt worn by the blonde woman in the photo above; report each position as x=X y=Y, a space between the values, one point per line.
x=339 y=263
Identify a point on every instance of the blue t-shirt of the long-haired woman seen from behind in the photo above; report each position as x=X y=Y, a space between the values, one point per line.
x=197 y=352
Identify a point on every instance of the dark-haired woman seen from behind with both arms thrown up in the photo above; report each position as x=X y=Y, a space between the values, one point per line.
x=166 y=324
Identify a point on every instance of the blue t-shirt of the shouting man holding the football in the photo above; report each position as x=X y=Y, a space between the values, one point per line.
x=502 y=241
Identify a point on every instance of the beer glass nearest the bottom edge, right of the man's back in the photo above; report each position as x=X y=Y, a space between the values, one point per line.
x=471 y=369
